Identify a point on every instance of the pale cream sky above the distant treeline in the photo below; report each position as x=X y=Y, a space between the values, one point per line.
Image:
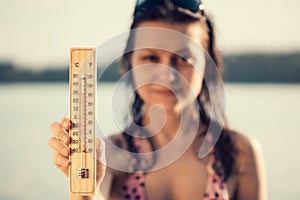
x=38 y=34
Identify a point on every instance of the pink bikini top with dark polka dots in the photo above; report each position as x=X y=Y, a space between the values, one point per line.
x=134 y=186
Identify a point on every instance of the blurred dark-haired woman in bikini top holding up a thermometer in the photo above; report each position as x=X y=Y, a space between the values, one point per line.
x=233 y=168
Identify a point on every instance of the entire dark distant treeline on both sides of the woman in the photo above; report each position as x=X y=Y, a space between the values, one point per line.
x=250 y=68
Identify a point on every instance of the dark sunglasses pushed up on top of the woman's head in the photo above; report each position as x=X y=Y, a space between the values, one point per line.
x=144 y=6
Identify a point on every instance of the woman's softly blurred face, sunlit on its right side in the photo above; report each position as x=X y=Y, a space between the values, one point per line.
x=166 y=75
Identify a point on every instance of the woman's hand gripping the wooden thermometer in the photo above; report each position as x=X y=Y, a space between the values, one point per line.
x=60 y=143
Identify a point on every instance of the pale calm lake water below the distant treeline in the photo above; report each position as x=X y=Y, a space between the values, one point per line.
x=271 y=113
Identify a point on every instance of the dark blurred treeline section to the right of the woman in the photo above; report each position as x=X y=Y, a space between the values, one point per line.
x=265 y=68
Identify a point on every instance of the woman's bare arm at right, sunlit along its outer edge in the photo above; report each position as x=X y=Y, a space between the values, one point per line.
x=251 y=167
